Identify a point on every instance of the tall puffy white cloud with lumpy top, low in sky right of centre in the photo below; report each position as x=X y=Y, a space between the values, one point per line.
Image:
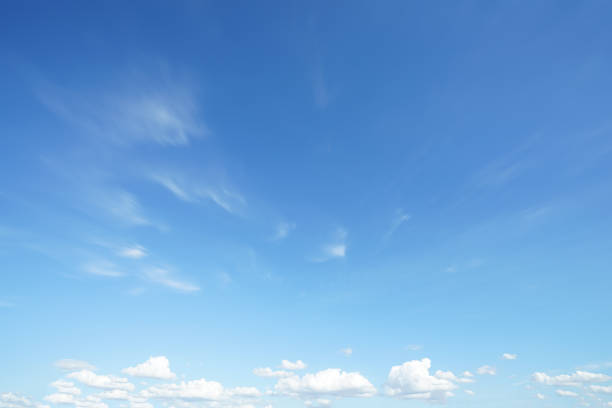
x=412 y=380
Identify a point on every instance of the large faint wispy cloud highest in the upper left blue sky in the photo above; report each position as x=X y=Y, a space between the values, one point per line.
x=150 y=109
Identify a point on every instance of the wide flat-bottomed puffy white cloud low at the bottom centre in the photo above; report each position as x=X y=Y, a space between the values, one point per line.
x=330 y=382
